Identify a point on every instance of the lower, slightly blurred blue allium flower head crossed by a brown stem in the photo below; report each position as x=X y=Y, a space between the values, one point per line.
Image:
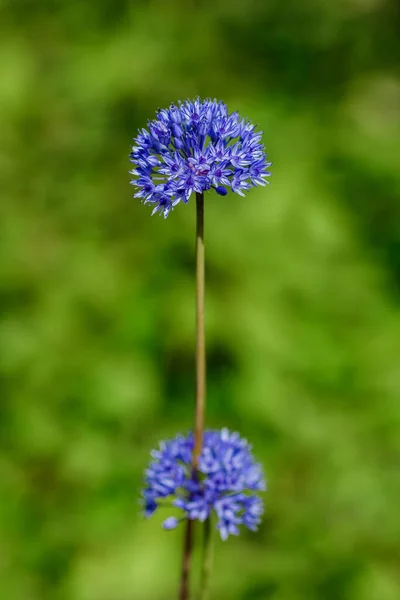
x=225 y=483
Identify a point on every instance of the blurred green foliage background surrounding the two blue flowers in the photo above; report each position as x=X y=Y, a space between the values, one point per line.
x=97 y=298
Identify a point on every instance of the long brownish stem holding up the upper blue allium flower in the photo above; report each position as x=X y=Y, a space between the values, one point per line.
x=200 y=384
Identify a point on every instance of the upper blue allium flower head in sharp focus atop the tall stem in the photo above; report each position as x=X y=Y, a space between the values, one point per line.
x=194 y=147
